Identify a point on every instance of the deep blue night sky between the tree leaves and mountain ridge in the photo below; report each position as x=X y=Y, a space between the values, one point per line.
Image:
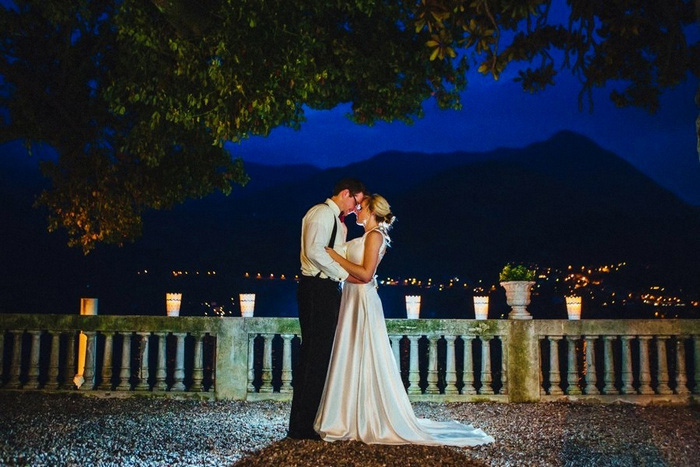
x=499 y=114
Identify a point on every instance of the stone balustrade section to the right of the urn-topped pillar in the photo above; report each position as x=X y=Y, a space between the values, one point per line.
x=619 y=359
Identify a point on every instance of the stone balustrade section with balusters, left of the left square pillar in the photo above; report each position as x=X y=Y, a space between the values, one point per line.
x=119 y=354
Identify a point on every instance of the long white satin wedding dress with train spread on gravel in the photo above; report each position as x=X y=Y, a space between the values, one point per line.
x=364 y=398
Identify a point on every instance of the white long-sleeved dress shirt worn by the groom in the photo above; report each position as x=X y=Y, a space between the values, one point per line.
x=316 y=229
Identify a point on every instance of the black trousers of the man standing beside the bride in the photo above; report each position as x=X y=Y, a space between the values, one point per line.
x=319 y=301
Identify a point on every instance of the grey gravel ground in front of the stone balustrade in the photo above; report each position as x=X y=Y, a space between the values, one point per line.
x=68 y=429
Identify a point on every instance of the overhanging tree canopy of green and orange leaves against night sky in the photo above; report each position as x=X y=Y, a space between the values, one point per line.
x=138 y=97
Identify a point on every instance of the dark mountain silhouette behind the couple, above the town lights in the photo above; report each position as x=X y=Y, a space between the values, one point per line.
x=562 y=201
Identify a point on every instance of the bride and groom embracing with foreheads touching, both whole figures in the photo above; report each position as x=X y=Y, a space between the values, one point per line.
x=347 y=385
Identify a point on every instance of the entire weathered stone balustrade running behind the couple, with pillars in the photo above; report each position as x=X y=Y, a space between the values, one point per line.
x=440 y=360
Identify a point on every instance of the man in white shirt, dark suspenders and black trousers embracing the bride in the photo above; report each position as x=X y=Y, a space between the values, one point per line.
x=318 y=298
